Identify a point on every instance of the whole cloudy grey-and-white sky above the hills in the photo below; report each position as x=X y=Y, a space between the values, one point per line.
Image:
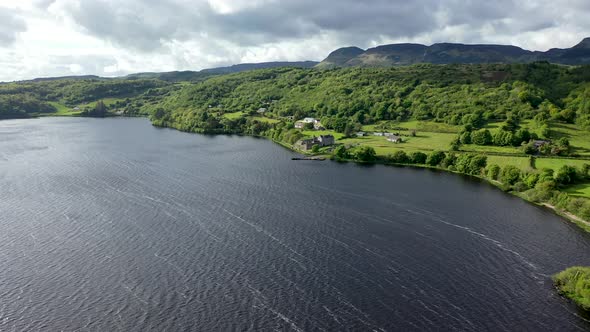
x=41 y=38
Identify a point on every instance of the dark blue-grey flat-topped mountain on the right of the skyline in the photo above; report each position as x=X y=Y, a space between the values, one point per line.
x=448 y=53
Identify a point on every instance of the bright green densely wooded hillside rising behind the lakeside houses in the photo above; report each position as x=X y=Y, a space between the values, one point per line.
x=451 y=94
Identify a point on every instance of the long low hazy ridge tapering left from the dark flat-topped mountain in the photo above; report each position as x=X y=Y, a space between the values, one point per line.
x=176 y=76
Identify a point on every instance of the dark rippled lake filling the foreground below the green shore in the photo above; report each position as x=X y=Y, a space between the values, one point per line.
x=114 y=225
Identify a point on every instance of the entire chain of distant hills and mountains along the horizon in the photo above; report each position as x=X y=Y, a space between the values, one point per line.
x=388 y=55
